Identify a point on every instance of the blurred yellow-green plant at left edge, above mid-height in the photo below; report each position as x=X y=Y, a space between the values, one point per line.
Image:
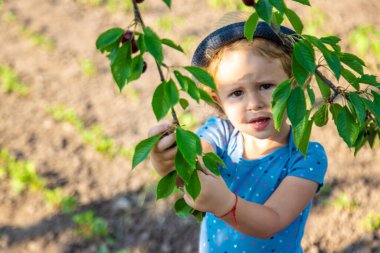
x=10 y=82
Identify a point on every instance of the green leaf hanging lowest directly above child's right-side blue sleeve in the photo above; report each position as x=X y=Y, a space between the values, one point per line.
x=302 y=133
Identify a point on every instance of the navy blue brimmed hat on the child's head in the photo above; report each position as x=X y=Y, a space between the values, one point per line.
x=228 y=34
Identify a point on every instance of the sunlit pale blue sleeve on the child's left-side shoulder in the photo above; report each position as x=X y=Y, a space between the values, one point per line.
x=216 y=132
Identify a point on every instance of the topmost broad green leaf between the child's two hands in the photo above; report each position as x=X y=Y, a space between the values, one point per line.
x=188 y=144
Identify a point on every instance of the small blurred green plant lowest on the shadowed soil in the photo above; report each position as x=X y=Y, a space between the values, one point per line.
x=89 y=226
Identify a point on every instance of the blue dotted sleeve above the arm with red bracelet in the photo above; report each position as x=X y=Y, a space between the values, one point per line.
x=313 y=166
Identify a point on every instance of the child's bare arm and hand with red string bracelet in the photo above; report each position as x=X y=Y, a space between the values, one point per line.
x=261 y=221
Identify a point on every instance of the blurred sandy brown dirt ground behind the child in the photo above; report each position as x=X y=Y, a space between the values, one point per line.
x=125 y=198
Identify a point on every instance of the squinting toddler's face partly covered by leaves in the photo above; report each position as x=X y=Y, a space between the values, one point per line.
x=245 y=82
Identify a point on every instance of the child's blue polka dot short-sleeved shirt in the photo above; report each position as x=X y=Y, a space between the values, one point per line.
x=255 y=181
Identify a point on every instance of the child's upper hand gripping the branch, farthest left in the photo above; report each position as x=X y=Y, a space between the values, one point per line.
x=163 y=154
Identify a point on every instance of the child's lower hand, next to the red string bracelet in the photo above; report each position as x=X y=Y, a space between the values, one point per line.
x=215 y=197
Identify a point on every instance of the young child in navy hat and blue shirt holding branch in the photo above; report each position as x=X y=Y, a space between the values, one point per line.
x=264 y=195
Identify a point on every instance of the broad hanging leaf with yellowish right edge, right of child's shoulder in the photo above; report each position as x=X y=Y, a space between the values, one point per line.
x=346 y=126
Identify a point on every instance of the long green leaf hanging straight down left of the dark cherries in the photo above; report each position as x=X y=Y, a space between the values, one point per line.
x=120 y=67
